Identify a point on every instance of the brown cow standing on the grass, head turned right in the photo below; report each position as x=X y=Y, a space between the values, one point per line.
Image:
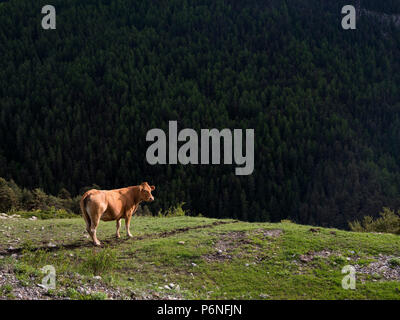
x=108 y=205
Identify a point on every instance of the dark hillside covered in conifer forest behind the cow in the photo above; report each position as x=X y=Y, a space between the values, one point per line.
x=76 y=102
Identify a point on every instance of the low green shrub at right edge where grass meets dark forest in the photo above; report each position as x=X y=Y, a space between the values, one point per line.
x=388 y=222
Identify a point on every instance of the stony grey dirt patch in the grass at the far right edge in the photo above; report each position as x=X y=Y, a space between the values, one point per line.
x=382 y=268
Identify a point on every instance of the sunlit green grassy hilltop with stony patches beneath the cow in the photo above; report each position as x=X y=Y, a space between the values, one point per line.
x=195 y=258
